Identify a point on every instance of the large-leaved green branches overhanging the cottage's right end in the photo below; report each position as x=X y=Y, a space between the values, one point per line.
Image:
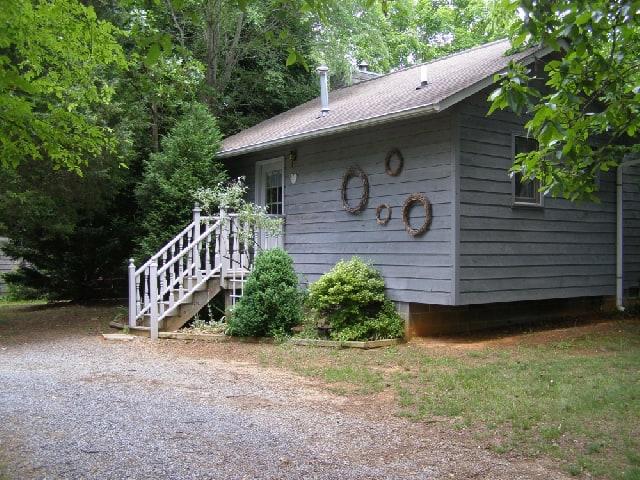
x=586 y=112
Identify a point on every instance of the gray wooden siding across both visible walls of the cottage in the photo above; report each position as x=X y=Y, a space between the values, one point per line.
x=480 y=248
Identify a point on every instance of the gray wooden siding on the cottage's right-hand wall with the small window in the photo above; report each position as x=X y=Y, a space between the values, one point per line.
x=509 y=253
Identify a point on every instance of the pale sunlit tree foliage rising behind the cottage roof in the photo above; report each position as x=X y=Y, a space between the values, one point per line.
x=392 y=35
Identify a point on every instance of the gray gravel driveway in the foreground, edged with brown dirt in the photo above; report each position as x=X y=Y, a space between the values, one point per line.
x=81 y=407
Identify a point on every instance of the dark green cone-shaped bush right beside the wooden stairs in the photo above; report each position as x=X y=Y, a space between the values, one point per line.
x=271 y=304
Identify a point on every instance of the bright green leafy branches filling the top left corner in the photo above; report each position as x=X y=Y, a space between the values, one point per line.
x=53 y=58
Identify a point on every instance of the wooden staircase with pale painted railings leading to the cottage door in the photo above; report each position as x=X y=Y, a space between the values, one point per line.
x=211 y=256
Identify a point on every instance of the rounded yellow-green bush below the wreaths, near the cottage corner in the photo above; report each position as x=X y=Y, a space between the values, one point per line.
x=351 y=298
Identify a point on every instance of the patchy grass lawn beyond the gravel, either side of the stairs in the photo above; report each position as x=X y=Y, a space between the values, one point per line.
x=572 y=394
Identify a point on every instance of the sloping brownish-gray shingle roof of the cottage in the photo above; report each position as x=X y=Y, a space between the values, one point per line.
x=386 y=98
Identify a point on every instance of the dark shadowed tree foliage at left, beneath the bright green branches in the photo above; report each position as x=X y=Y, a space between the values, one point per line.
x=72 y=232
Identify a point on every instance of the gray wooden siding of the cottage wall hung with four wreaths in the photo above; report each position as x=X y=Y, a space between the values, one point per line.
x=319 y=232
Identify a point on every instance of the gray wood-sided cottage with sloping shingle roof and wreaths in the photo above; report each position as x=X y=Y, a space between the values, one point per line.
x=408 y=171
